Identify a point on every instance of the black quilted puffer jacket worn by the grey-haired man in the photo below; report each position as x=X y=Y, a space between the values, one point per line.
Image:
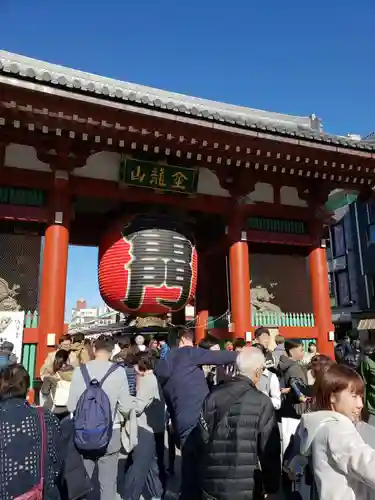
x=247 y=436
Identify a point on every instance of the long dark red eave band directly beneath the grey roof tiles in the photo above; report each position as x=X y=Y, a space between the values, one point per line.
x=171 y=124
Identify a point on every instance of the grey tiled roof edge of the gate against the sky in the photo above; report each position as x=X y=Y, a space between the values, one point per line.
x=303 y=128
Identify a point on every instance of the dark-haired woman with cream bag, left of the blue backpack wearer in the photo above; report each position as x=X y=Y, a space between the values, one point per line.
x=56 y=385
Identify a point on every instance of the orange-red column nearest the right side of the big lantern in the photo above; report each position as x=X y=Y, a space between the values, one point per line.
x=239 y=272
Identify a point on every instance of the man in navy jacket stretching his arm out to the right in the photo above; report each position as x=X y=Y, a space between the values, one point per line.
x=184 y=387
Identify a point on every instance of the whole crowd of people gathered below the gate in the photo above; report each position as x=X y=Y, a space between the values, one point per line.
x=250 y=422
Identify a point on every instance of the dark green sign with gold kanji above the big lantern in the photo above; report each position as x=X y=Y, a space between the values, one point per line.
x=151 y=175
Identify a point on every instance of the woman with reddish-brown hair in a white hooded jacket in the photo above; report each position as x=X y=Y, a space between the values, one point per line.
x=341 y=462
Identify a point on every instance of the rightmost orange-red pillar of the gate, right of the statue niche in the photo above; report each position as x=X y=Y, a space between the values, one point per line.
x=321 y=301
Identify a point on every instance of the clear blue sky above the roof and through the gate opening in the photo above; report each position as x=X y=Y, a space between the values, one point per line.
x=291 y=56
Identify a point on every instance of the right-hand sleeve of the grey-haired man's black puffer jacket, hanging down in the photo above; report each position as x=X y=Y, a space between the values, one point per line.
x=269 y=448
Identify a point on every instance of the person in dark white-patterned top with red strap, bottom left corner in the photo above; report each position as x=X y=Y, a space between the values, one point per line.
x=30 y=441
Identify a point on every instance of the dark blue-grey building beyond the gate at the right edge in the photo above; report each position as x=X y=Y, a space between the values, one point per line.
x=351 y=266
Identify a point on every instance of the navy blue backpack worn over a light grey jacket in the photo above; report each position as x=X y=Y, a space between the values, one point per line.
x=93 y=423
